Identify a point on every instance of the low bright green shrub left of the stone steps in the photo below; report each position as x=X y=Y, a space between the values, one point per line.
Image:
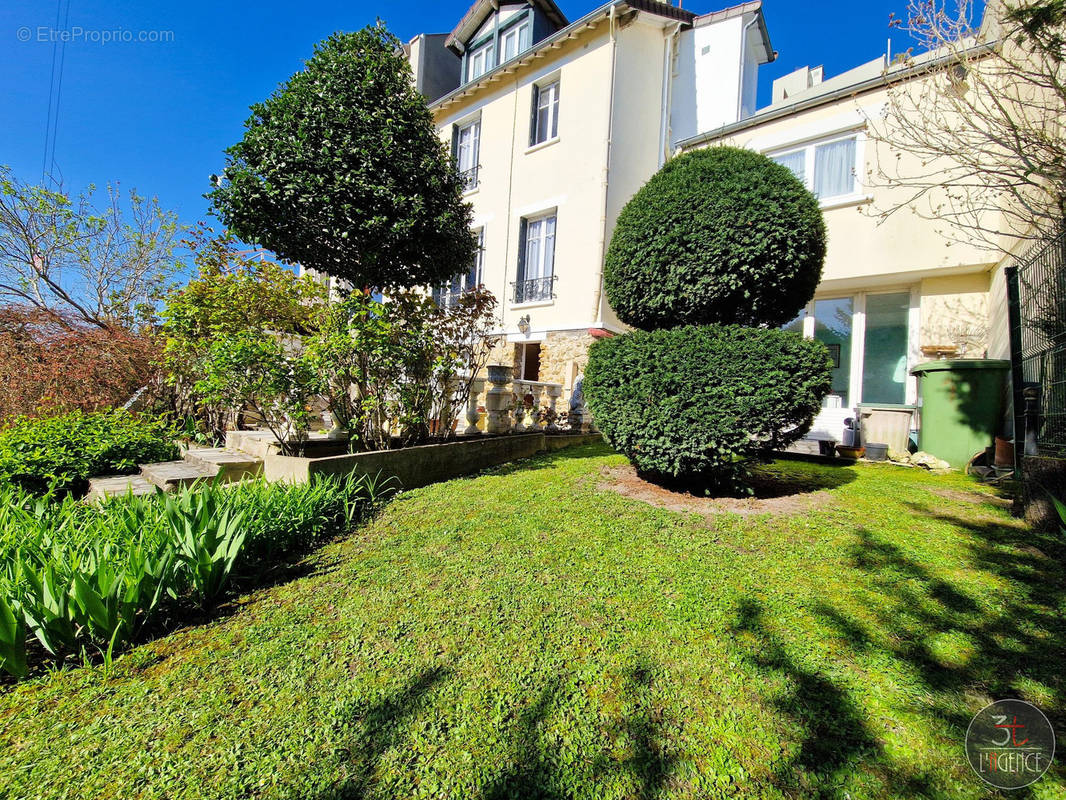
x=67 y=451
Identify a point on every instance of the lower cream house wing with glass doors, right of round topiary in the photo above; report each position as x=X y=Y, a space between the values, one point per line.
x=895 y=293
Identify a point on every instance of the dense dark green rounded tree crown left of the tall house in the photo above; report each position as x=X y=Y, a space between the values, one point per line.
x=342 y=170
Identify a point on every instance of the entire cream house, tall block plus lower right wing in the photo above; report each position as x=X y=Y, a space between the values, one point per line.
x=556 y=125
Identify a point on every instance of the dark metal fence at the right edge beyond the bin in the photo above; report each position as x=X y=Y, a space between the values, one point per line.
x=1037 y=303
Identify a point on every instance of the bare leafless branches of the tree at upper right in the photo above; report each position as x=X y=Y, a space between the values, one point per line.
x=975 y=123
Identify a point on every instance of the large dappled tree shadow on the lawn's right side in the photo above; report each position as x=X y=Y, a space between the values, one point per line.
x=1012 y=646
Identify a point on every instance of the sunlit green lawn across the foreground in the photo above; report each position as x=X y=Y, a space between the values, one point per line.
x=527 y=635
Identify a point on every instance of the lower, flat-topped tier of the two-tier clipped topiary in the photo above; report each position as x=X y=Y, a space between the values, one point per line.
x=699 y=403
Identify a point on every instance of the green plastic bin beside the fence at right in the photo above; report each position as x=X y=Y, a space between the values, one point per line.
x=961 y=410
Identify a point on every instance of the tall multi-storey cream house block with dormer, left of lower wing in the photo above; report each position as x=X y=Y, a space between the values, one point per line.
x=556 y=125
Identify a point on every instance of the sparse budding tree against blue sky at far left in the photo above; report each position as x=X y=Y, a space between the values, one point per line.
x=108 y=266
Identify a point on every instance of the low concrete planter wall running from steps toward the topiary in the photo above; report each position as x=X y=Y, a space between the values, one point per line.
x=426 y=465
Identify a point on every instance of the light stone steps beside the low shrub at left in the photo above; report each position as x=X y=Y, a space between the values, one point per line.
x=227 y=465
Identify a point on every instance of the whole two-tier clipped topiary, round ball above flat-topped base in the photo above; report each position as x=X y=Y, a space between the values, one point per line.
x=710 y=258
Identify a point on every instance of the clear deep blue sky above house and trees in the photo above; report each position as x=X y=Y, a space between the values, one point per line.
x=157 y=116
